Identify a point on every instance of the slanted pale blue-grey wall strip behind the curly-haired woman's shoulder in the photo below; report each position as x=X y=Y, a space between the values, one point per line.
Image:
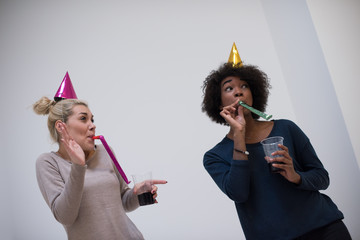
x=315 y=101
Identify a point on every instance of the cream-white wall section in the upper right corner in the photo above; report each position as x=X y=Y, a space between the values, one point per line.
x=336 y=23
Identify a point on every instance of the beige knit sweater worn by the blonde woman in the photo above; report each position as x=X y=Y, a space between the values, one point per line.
x=89 y=201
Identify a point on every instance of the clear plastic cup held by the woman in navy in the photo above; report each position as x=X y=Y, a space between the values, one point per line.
x=270 y=145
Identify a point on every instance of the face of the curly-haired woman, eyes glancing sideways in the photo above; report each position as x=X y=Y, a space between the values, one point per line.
x=233 y=89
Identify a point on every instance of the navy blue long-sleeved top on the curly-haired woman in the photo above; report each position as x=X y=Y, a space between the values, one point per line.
x=268 y=205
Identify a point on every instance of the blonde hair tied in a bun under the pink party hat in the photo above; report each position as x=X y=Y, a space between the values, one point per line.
x=57 y=110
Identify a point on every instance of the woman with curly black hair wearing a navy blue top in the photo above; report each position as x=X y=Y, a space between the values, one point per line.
x=283 y=205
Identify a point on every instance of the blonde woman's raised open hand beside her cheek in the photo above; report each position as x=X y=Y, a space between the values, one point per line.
x=73 y=149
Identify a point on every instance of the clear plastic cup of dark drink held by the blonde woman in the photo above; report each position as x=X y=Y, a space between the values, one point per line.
x=145 y=184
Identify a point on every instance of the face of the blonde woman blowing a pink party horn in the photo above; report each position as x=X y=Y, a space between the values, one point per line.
x=80 y=126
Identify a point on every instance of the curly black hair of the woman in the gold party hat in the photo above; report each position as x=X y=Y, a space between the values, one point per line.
x=255 y=78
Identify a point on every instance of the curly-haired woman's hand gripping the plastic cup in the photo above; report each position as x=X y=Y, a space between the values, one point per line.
x=286 y=165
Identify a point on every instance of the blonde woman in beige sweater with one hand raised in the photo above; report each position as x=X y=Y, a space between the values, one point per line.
x=79 y=182
